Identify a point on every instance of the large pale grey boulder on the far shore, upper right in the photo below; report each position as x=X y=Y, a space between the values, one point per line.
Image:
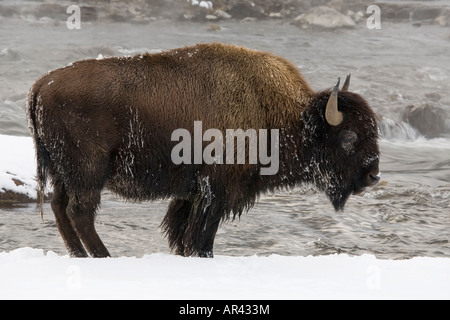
x=324 y=17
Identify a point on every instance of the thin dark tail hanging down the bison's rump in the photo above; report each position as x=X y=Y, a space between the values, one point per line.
x=34 y=113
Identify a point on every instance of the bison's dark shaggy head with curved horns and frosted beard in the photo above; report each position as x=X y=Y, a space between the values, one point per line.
x=340 y=142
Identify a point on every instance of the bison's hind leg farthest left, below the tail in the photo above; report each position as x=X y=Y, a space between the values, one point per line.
x=59 y=205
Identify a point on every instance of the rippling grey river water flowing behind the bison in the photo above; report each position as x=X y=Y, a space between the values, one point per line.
x=406 y=215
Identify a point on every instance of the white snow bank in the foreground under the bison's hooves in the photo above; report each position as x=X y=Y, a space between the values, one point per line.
x=28 y=273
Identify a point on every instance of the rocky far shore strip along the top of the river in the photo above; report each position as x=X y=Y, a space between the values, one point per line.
x=302 y=13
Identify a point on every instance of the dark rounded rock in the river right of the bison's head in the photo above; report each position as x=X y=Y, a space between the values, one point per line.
x=429 y=120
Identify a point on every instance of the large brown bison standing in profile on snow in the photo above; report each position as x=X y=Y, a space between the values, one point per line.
x=108 y=123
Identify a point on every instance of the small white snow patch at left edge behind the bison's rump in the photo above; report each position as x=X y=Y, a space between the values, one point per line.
x=17 y=161
